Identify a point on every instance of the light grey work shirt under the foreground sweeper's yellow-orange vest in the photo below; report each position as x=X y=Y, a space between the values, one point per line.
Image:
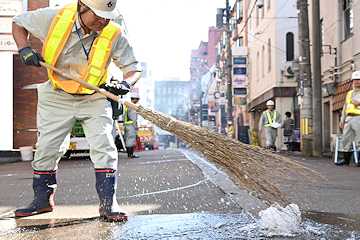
x=73 y=59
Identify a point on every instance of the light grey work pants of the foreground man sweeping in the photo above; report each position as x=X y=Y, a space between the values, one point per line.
x=57 y=113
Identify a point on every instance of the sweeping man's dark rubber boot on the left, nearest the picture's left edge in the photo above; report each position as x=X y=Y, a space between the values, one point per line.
x=44 y=185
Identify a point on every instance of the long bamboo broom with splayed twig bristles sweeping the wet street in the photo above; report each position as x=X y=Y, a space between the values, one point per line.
x=258 y=170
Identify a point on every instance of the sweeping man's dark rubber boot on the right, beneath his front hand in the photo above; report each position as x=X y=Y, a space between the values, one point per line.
x=106 y=182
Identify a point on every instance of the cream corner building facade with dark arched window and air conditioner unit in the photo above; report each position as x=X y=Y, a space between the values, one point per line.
x=273 y=45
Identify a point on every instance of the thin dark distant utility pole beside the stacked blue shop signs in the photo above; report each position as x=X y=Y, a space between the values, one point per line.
x=228 y=63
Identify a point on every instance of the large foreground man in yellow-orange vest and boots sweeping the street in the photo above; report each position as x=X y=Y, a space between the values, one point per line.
x=80 y=40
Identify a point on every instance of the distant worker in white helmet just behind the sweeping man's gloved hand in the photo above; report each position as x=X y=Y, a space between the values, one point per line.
x=131 y=127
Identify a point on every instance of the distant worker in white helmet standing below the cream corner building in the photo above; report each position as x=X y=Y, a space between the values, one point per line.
x=270 y=120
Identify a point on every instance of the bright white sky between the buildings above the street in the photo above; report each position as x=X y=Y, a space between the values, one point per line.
x=163 y=32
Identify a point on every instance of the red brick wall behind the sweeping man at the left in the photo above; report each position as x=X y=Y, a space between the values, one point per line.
x=25 y=101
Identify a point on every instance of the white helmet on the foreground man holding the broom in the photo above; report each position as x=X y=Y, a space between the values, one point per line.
x=103 y=8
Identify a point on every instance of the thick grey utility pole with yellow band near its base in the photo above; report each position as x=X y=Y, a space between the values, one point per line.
x=305 y=79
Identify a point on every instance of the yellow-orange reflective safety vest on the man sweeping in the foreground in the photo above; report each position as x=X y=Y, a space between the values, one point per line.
x=95 y=73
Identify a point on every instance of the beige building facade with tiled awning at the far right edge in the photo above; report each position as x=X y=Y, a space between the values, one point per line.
x=340 y=35
